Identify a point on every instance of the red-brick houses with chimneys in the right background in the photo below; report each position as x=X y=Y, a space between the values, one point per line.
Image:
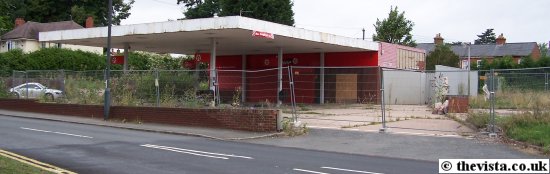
x=489 y=51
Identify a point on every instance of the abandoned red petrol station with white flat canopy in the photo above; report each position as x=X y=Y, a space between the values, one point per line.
x=235 y=46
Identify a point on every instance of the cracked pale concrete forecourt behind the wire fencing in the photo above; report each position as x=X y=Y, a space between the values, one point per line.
x=406 y=119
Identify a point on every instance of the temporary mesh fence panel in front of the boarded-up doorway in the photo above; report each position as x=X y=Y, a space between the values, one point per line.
x=337 y=97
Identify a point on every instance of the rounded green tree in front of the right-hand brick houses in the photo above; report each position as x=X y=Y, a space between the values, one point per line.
x=442 y=55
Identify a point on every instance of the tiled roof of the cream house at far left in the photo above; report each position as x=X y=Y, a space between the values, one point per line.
x=30 y=30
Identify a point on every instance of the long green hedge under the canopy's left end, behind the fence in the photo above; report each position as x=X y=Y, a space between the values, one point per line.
x=76 y=60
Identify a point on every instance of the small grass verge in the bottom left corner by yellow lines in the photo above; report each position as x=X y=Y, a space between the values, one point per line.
x=8 y=165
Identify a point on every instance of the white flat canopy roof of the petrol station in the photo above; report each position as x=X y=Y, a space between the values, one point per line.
x=233 y=35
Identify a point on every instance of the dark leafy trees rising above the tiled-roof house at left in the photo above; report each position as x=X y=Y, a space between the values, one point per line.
x=76 y=10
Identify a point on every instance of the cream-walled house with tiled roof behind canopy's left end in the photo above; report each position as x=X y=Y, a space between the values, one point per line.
x=25 y=36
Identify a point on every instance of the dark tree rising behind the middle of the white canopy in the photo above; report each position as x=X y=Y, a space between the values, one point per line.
x=278 y=11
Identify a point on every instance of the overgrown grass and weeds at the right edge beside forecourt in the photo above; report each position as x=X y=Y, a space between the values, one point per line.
x=531 y=125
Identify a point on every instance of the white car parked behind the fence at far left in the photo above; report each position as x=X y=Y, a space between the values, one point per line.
x=35 y=90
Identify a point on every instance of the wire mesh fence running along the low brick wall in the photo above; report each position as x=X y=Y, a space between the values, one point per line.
x=151 y=88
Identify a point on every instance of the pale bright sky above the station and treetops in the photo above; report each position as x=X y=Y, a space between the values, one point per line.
x=456 y=20
